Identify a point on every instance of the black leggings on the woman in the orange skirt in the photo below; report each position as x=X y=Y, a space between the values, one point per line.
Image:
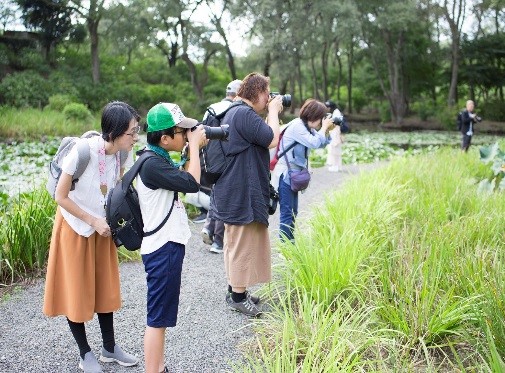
x=78 y=330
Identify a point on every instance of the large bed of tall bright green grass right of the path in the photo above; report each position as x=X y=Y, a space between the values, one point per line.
x=403 y=254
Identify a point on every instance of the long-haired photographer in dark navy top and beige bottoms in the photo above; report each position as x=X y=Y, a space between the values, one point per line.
x=241 y=194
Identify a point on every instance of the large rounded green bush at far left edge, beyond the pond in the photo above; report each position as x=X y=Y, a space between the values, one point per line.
x=24 y=89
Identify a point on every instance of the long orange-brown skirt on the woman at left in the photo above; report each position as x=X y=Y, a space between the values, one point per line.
x=82 y=274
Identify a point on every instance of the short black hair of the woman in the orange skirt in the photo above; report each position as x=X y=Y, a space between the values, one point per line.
x=116 y=118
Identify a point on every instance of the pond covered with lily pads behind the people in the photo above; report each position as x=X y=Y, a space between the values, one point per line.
x=24 y=166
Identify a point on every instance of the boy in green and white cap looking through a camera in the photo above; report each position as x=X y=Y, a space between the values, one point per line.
x=158 y=182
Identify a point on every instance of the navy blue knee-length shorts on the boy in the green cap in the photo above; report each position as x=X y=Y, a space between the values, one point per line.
x=163 y=268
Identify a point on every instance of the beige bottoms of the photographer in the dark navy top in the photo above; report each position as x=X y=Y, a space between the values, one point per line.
x=247 y=254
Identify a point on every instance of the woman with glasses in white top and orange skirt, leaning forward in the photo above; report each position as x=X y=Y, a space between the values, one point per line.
x=82 y=273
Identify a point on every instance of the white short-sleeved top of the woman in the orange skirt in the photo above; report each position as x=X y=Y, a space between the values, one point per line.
x=87 y=194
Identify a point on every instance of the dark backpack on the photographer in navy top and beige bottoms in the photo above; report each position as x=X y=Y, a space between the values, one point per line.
x=213 y=160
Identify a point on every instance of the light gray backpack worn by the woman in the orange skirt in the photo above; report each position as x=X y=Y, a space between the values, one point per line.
x=67 y=143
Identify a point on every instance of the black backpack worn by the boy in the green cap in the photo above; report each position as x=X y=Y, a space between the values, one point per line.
x=123 y=210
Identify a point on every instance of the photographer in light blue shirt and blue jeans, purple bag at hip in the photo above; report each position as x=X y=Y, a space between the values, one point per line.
x=300 y=135
